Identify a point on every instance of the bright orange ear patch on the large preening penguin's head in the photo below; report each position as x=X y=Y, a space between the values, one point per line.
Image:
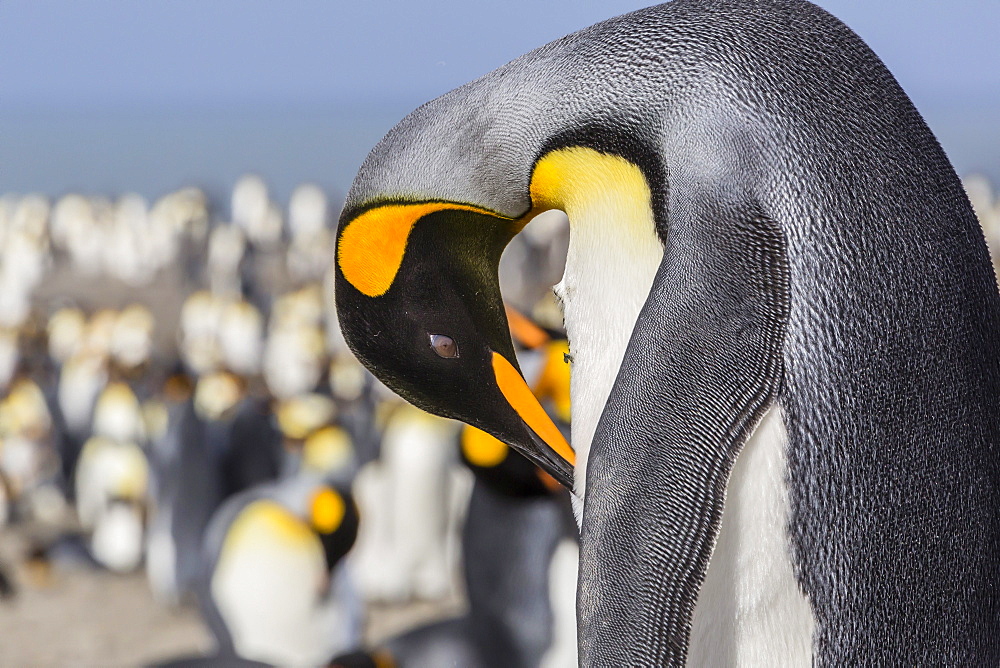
x=371 y=247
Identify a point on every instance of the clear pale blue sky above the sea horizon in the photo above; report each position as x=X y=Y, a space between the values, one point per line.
x=177 y=54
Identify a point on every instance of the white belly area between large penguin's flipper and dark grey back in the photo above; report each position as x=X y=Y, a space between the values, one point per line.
x=750 y=610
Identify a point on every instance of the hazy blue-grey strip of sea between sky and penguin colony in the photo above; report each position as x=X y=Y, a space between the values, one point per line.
x=154 y=152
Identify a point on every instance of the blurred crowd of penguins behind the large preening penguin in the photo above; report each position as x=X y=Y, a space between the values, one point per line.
x=204 y=426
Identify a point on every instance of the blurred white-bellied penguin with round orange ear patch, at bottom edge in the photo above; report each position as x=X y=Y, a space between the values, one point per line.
x=275 y=588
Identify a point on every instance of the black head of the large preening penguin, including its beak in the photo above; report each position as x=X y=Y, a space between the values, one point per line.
x=419 y=302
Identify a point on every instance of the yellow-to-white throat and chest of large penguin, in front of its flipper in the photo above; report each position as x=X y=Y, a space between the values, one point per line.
x=613 y=255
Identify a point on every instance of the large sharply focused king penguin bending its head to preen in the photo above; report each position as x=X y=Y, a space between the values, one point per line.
x=784 y=331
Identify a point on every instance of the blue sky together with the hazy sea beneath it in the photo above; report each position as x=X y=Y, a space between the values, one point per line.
x=112 y=95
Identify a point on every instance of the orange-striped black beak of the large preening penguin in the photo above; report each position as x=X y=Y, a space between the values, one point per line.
x=547 y=445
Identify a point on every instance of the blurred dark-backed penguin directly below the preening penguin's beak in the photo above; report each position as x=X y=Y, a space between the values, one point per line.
x=519 y=556
